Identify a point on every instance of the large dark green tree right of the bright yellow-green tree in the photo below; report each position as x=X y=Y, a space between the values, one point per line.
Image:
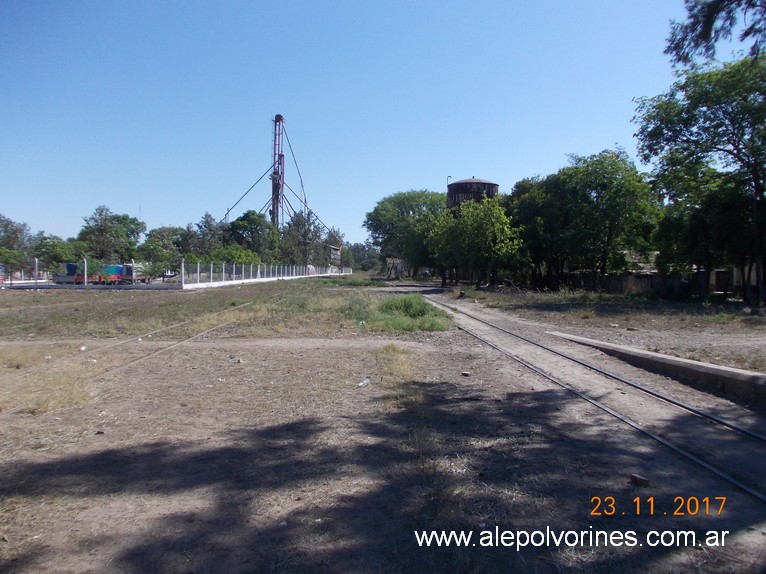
x=584 y=217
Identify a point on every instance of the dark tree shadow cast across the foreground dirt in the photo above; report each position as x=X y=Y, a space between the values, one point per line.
x=288 y=498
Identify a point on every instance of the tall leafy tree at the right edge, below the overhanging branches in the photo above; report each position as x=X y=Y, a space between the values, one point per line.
x=715 y=116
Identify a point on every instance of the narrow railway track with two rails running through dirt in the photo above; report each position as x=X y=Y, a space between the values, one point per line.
x=726 y=448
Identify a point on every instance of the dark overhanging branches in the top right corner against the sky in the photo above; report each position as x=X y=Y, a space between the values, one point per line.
x=709 y=21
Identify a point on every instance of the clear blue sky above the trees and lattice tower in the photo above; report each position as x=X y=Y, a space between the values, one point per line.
x=163 y=109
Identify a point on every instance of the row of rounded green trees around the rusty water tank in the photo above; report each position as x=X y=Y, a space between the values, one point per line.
x=587 y=216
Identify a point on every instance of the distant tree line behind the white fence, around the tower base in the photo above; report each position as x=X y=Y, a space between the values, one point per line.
x=107 y=237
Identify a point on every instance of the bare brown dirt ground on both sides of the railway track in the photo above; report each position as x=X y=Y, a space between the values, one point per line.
x=229 y=454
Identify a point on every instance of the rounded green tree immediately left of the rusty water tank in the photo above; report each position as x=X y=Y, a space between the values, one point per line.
x=400 y=223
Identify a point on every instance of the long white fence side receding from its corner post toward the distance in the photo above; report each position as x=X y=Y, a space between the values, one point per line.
x=204 y=275
